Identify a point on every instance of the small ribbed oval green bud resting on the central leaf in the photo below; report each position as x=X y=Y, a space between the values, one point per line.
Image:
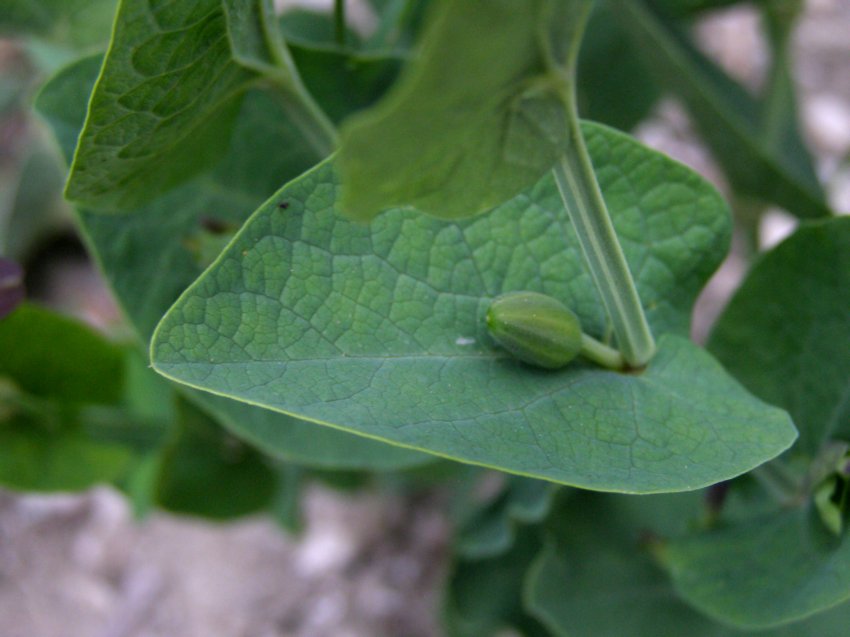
x=535 y=328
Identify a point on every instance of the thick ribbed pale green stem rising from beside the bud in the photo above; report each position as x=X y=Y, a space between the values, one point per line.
x=587 y=210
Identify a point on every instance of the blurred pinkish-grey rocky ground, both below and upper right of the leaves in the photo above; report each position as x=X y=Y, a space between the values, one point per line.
x=366 y=565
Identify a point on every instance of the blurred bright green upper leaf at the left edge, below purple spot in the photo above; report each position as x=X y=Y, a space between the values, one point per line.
x=52 y=356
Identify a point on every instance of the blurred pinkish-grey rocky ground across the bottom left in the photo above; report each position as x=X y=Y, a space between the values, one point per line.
x=78 y=566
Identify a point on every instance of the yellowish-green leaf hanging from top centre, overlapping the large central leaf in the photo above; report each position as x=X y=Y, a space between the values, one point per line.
x=478 y=116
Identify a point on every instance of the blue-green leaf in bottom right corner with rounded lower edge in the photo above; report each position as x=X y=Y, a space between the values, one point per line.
x=764 y=572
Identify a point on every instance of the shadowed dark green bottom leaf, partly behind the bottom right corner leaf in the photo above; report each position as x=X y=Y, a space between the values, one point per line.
x=596 y=576
